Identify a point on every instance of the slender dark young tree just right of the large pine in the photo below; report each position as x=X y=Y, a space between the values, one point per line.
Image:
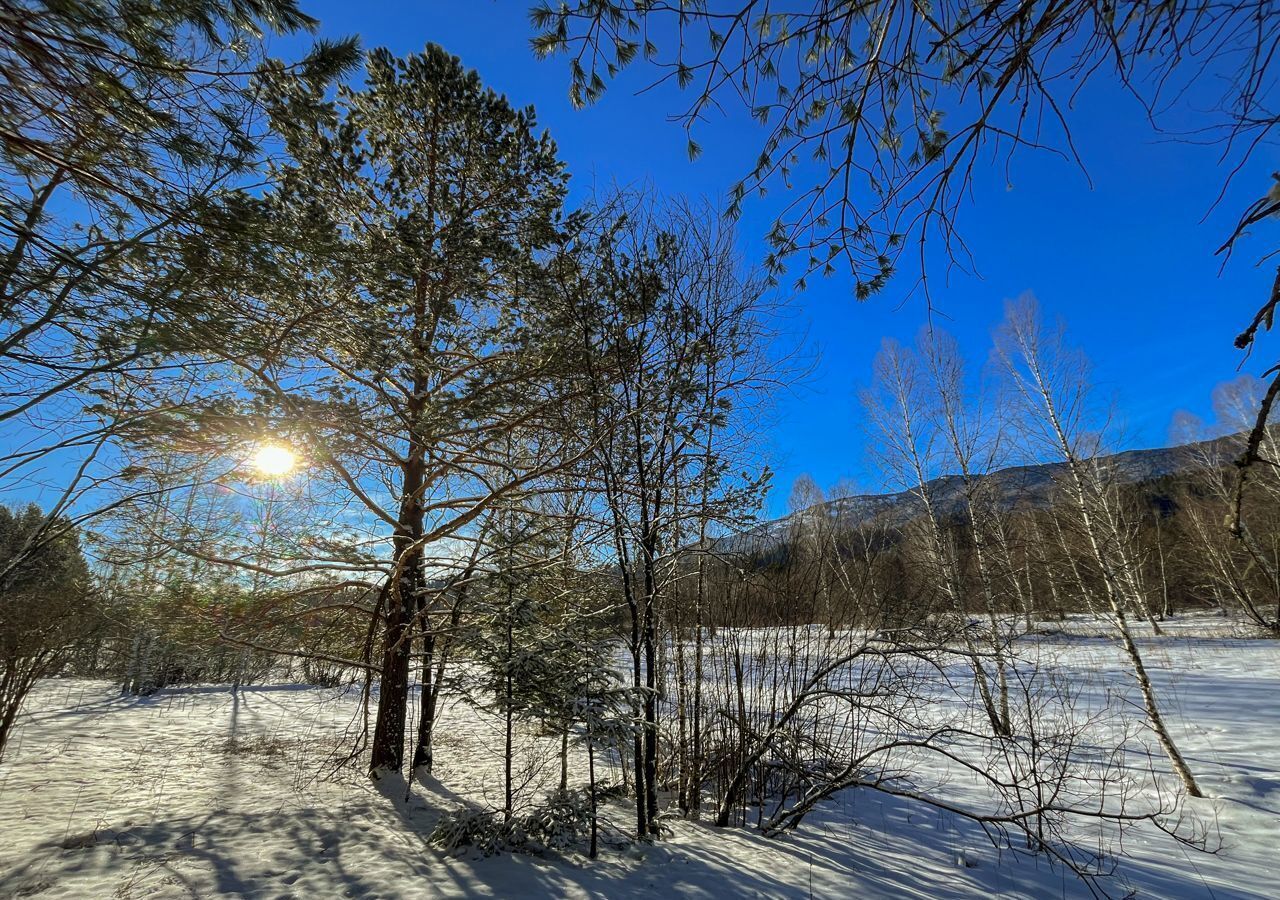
x=671 y=330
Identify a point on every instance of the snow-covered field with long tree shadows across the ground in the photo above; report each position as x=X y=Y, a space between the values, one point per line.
x=198 y=793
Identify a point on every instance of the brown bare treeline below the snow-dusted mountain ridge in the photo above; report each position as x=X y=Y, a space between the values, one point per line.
x=1181 y=505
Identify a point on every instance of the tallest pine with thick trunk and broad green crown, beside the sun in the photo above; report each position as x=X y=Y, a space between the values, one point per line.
x=410 y=317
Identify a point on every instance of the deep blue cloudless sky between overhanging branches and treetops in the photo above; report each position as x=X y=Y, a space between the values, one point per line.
x=1128 y=262
